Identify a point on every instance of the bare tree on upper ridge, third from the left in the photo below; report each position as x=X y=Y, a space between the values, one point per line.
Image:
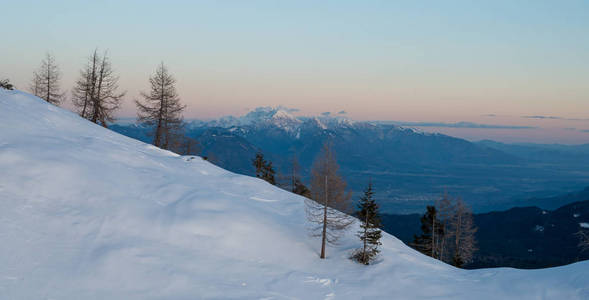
x=162 y=110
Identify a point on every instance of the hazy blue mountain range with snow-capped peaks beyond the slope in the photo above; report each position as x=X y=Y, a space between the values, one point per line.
x=409 y=168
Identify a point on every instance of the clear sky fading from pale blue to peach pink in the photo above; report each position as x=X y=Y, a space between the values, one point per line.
x=413 y=61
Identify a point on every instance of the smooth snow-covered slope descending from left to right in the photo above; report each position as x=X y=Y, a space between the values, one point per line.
x=86 y=213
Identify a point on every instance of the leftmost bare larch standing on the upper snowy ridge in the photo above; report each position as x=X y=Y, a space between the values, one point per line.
x=45 y=83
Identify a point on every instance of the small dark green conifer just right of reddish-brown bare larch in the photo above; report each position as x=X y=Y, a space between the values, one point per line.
x=370 y=224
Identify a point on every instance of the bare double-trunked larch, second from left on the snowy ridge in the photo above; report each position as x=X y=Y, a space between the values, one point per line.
x=95 y=93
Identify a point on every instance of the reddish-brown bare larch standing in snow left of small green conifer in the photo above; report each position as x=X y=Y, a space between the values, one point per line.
x=329 y=200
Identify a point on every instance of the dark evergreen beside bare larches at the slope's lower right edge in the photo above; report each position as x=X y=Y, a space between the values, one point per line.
x=432 y=232
